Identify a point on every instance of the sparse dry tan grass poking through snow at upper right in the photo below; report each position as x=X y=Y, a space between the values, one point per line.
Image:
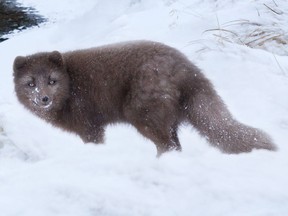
x=253 y=34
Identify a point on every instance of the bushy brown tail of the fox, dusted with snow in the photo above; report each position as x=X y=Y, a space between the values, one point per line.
x=208 y=113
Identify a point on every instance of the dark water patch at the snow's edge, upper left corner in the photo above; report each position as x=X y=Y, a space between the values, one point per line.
x=14 y=16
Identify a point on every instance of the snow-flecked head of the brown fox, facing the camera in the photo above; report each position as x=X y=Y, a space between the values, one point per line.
x=41 y=81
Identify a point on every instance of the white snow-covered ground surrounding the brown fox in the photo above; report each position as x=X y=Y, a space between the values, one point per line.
x=240 y=45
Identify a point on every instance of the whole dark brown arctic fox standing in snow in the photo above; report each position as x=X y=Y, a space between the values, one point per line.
x=147 y=84
